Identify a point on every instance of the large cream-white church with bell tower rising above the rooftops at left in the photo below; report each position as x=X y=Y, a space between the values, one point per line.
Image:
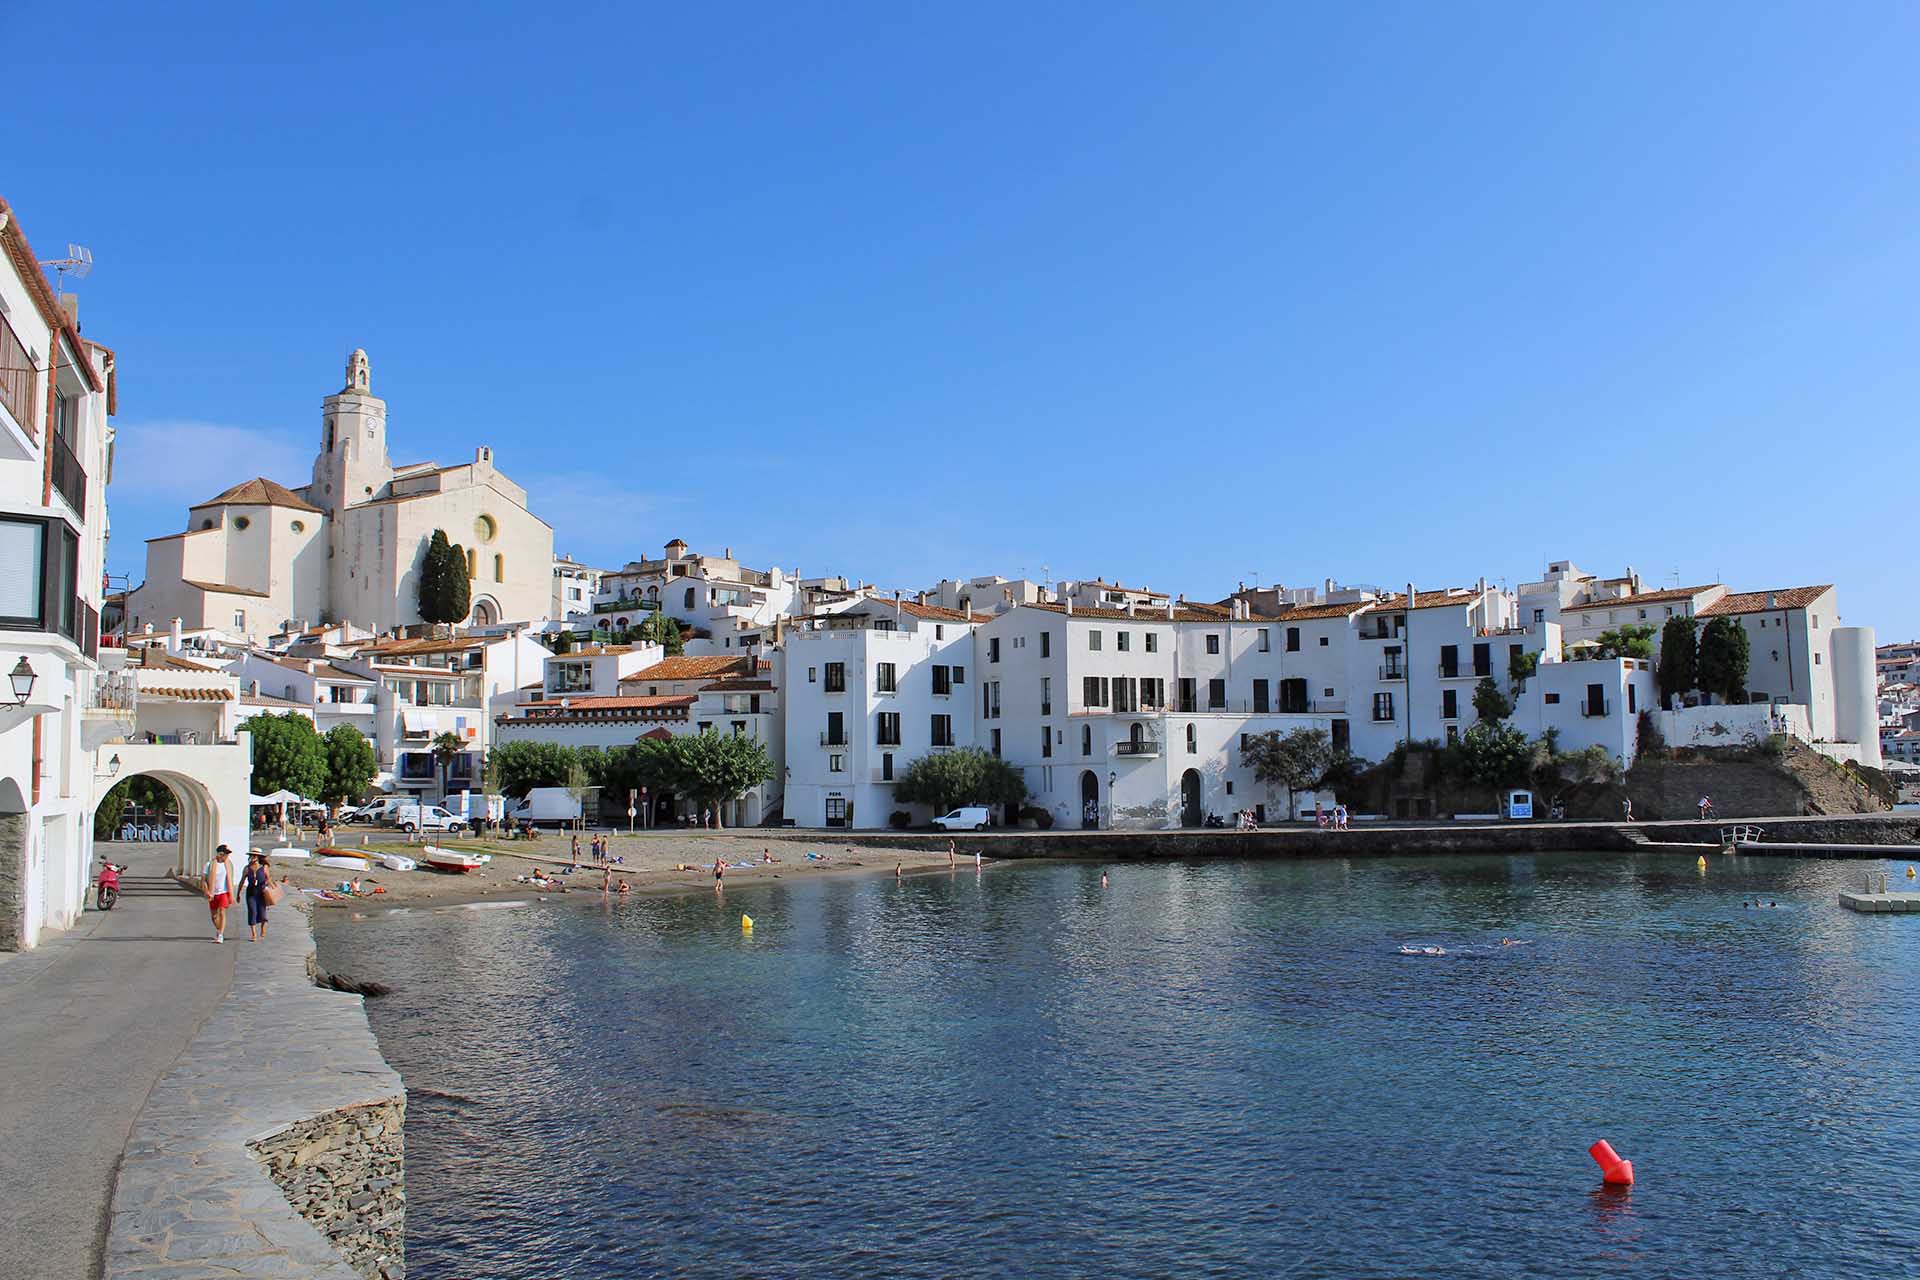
x=347 y=546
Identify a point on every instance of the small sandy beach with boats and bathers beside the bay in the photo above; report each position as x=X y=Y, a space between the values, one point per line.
x=648 y=863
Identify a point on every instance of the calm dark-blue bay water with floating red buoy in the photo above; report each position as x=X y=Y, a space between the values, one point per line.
x=1207 y=1070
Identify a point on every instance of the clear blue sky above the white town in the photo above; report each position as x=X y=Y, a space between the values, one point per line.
x=1180 y=295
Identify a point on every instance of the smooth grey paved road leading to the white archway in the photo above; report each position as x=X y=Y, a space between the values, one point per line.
x=89 y=1024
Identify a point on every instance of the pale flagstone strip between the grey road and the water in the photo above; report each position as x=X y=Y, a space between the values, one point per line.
x=279 y=1053
